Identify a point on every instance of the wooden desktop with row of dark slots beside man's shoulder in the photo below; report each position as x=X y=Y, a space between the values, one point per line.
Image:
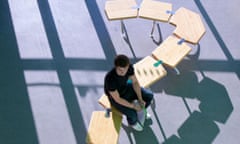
x=147 y=73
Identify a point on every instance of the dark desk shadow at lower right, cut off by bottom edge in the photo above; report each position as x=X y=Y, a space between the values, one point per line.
x=197 y=129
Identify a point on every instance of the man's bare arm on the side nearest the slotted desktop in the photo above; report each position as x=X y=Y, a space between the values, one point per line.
x=137 y=89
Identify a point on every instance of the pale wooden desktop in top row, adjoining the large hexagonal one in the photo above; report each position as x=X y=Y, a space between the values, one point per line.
x=155 y=10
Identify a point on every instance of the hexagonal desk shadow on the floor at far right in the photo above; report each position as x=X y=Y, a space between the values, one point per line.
x=215 y=102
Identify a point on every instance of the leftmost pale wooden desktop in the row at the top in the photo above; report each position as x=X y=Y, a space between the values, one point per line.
x=121 y=9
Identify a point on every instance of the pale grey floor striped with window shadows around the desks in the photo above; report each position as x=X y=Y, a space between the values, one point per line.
x=54 y=55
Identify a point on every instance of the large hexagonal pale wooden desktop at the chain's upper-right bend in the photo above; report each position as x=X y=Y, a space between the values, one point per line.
x=188 y=24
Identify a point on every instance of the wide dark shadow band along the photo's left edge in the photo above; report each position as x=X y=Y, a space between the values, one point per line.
x=16 y=120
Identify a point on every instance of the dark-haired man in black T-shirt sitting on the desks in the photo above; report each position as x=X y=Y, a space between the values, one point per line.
x=121 y=93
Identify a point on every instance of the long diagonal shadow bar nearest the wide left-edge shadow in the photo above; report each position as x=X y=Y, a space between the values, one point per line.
x=70 y=98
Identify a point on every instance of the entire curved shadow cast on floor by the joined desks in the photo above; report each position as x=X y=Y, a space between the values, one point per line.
x=215 y=105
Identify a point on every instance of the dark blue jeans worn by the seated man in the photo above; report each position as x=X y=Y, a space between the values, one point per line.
x=130 y=96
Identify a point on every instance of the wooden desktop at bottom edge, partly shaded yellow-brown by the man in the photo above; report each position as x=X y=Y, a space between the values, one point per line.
x=104 y=130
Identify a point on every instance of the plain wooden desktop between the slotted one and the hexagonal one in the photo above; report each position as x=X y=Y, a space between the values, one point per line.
x=170 y=52
